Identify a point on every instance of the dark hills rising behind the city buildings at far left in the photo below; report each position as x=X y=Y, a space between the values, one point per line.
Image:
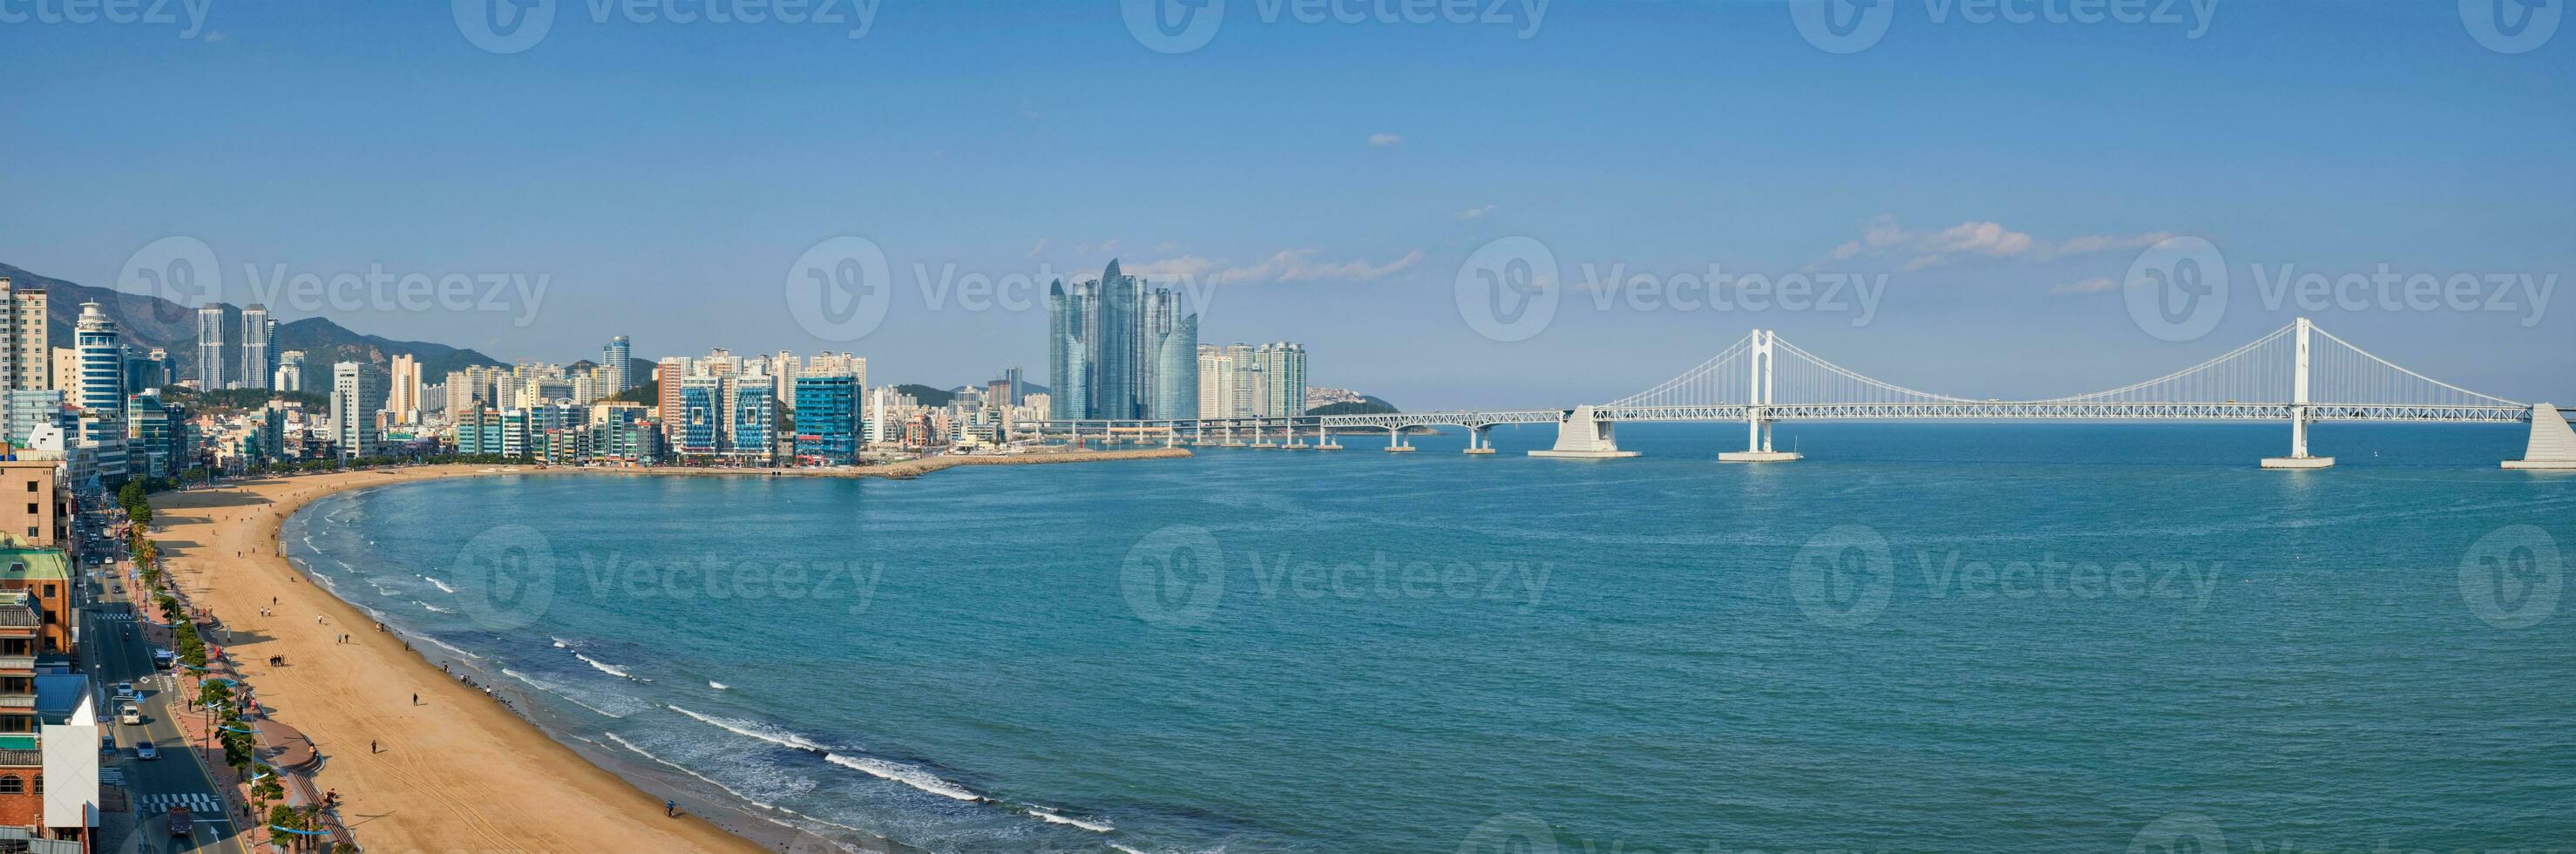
x=158 y=323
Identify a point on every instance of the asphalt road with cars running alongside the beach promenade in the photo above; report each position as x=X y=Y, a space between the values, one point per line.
x=120 y=655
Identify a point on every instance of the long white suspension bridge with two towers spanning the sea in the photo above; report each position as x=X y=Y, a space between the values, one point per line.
x=2299 y=374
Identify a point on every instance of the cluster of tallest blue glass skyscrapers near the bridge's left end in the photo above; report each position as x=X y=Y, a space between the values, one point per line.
x=1119 y=351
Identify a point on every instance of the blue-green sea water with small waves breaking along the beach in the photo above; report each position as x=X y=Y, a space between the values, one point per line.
x=1918 y=639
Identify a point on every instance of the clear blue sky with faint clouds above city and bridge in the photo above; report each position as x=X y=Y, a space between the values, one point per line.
x=1331 y=179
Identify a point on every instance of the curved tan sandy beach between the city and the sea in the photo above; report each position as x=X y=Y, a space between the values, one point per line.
x=460 y=773
